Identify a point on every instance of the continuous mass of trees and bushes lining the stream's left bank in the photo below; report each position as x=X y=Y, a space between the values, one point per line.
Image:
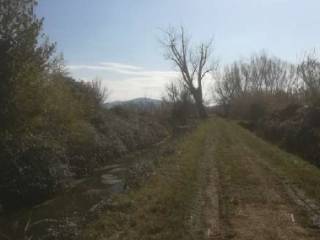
x=53 y=128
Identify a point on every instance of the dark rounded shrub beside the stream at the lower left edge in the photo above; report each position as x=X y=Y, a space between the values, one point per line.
x=30 y=170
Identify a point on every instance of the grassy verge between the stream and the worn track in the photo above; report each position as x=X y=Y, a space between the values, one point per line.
x=161 y=208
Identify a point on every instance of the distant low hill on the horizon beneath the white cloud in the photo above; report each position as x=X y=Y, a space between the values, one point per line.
x=137 y=103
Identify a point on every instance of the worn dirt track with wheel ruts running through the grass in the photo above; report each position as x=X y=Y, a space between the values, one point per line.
x=244 y=198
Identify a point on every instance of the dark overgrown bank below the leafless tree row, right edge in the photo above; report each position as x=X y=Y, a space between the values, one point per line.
x=294 y=128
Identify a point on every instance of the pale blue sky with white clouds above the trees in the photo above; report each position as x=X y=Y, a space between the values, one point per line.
x=117 y=40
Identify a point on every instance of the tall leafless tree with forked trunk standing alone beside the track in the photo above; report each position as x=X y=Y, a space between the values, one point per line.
x=193 y=63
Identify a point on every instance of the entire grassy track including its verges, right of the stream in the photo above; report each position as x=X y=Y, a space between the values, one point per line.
x=220 y=180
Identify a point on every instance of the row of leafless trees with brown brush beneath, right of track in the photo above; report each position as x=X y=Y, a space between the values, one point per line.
x=249 y=89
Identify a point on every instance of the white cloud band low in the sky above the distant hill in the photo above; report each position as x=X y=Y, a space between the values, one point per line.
x=125 y=81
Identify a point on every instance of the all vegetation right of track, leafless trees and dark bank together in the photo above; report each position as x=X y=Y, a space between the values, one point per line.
x=278 y=100
